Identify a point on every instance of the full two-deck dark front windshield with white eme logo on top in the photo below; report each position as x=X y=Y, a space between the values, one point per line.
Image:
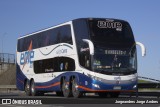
x=115 y=50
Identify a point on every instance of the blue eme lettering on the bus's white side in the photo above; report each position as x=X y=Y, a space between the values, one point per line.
x=27 y=57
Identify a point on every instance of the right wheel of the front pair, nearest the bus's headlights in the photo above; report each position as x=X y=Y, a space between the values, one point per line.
x=76 y=93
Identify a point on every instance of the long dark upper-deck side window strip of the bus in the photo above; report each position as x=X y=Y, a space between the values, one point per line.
x=53 y=36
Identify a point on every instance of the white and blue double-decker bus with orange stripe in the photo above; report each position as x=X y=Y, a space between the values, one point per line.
x=83 y=55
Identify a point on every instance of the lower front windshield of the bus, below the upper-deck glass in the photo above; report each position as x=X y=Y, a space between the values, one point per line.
x=115 y=61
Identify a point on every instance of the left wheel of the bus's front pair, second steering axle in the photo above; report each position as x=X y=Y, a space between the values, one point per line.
x=65 y=89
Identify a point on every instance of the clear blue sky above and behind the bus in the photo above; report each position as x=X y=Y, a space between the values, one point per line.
x=21 y=17
